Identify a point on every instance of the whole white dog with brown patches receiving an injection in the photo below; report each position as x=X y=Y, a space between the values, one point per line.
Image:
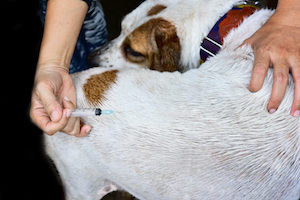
x=180 y=131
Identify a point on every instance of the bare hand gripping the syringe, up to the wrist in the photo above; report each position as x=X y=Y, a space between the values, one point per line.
x=53 y=98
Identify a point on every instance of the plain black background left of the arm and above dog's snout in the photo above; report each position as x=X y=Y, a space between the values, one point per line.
x=25 y=171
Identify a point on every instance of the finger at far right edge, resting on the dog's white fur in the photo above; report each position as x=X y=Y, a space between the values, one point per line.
x=295 y=69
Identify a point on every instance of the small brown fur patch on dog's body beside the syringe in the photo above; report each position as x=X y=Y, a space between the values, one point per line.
x=95 y=87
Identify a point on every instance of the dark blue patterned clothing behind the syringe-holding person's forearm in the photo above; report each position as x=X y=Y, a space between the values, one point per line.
x=93 y=34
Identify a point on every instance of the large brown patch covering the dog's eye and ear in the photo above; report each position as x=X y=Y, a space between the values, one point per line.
x=154 y=44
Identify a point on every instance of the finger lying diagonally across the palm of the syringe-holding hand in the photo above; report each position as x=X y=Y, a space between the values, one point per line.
x=49 y=102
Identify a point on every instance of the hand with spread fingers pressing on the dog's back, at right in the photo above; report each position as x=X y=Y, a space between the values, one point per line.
x=277 y=44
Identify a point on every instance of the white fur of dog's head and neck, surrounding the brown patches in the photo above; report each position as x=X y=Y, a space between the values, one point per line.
x=193 y=20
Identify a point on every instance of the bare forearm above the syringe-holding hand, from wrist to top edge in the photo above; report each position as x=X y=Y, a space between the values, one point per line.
x=63 y=22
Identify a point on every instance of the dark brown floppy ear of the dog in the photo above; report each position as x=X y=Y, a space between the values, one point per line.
x=166 y=46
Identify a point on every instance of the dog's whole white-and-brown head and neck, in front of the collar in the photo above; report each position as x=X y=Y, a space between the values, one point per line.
x=162 y=35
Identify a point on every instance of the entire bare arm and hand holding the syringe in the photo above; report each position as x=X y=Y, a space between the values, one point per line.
x=54 y=94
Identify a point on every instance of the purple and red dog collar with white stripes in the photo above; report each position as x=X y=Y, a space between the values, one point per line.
x=213 y=42
